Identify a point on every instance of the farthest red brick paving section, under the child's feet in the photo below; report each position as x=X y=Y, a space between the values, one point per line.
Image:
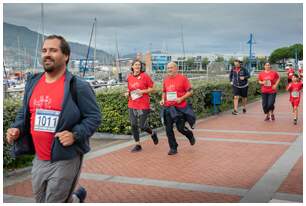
x=254 y=122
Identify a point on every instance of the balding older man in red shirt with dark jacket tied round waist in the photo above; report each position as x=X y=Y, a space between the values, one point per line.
x=176 y=89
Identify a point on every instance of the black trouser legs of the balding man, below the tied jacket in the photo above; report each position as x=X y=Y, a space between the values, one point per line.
x=180 y=125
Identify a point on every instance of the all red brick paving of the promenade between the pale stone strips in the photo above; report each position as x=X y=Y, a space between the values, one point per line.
x=230 y=164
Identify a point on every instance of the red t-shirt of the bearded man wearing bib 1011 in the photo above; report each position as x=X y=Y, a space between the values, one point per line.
x=47 y=96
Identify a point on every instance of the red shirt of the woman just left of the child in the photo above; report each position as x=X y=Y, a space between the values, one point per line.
x=270 y=76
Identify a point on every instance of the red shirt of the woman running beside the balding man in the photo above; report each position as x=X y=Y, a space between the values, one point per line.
x=142 y=81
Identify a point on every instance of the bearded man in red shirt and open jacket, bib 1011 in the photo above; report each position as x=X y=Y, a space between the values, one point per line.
x=58 y=116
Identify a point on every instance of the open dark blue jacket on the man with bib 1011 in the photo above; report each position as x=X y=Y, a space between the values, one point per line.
x=81 y=118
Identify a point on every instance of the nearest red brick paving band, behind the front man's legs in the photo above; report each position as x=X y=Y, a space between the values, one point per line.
x=101 y=191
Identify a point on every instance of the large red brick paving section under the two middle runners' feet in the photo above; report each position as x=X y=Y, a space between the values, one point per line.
x=213 y=163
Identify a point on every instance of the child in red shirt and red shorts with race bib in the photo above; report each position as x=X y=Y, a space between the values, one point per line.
x=295 y=88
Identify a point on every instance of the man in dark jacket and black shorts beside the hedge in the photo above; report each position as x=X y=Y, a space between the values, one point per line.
x=239 y=79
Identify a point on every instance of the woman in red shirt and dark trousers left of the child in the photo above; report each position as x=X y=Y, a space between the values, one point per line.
x=268 y=79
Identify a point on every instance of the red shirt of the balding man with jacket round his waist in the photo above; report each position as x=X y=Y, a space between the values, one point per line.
x=179 y=84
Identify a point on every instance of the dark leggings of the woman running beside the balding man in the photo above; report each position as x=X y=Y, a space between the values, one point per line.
x=143 y=124
